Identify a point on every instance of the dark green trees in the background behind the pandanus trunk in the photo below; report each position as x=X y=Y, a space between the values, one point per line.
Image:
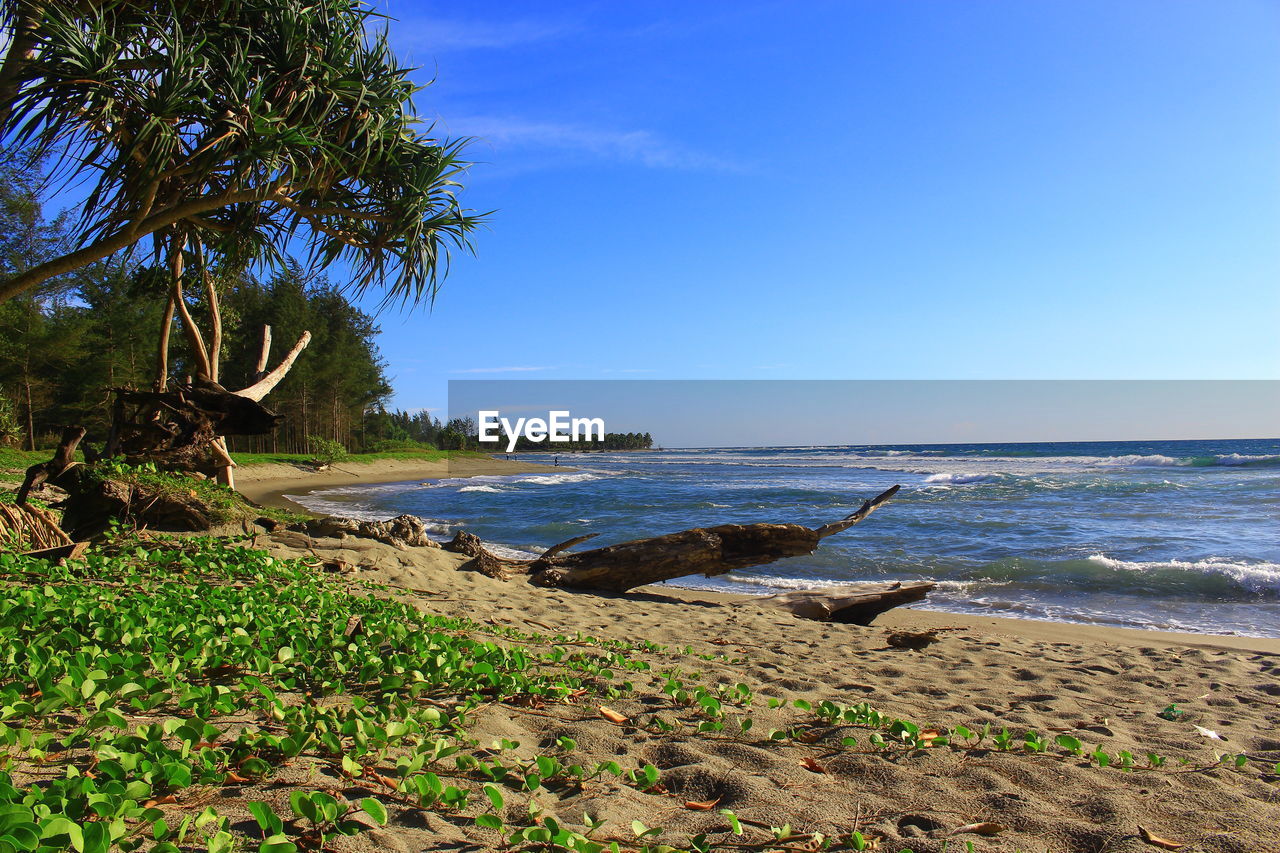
x=67 y=344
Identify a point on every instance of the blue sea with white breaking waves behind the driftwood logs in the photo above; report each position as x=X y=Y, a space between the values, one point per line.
x=1177 y=536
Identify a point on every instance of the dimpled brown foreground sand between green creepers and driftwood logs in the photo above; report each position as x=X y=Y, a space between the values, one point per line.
x=1100 y=686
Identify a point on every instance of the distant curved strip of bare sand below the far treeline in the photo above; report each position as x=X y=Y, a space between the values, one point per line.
x=271 y=485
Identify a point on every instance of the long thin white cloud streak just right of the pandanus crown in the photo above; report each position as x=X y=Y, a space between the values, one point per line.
x=646 y=148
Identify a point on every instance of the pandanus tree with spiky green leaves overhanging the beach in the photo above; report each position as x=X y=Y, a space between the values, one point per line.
x=208 y=130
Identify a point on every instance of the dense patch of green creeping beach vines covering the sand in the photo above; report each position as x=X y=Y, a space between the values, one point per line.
x=134 y=677
